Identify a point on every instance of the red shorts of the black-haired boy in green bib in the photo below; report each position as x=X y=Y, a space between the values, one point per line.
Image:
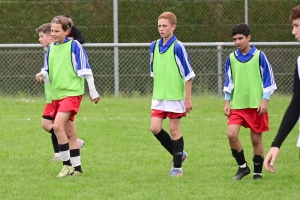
x=249 y=118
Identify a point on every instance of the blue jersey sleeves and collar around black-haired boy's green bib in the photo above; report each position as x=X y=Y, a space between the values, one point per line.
x=268 y=86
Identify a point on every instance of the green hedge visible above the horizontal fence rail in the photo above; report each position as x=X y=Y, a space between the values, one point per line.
x=198 y=20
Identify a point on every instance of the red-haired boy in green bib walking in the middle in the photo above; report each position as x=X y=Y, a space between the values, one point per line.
x=172 y=73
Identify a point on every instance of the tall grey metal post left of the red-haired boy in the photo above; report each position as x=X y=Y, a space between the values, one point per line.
x=116 y=49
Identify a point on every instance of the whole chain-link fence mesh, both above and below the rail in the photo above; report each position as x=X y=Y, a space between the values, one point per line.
x=198 y=21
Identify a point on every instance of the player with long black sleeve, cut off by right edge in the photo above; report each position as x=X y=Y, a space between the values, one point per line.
x=291 y=115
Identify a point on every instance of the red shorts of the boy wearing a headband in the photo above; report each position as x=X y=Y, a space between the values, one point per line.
x=68 y=104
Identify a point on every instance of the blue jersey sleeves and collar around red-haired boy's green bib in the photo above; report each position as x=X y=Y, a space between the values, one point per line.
x=180 y=54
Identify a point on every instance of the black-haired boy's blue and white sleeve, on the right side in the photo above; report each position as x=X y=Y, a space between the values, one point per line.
x=269 y=84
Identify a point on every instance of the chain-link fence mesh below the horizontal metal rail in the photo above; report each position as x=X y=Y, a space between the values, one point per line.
x=19 y=66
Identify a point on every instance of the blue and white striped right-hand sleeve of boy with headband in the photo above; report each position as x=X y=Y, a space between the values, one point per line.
x=80 y=60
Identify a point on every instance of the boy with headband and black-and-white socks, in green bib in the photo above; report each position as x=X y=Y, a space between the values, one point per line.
x=66 y=67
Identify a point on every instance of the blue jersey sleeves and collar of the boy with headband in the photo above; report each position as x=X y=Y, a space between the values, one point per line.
x=79 y=59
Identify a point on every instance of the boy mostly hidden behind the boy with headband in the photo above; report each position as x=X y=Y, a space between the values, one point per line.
x=47 y=121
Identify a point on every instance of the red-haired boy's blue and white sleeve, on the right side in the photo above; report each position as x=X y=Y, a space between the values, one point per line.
x=183 y=62
